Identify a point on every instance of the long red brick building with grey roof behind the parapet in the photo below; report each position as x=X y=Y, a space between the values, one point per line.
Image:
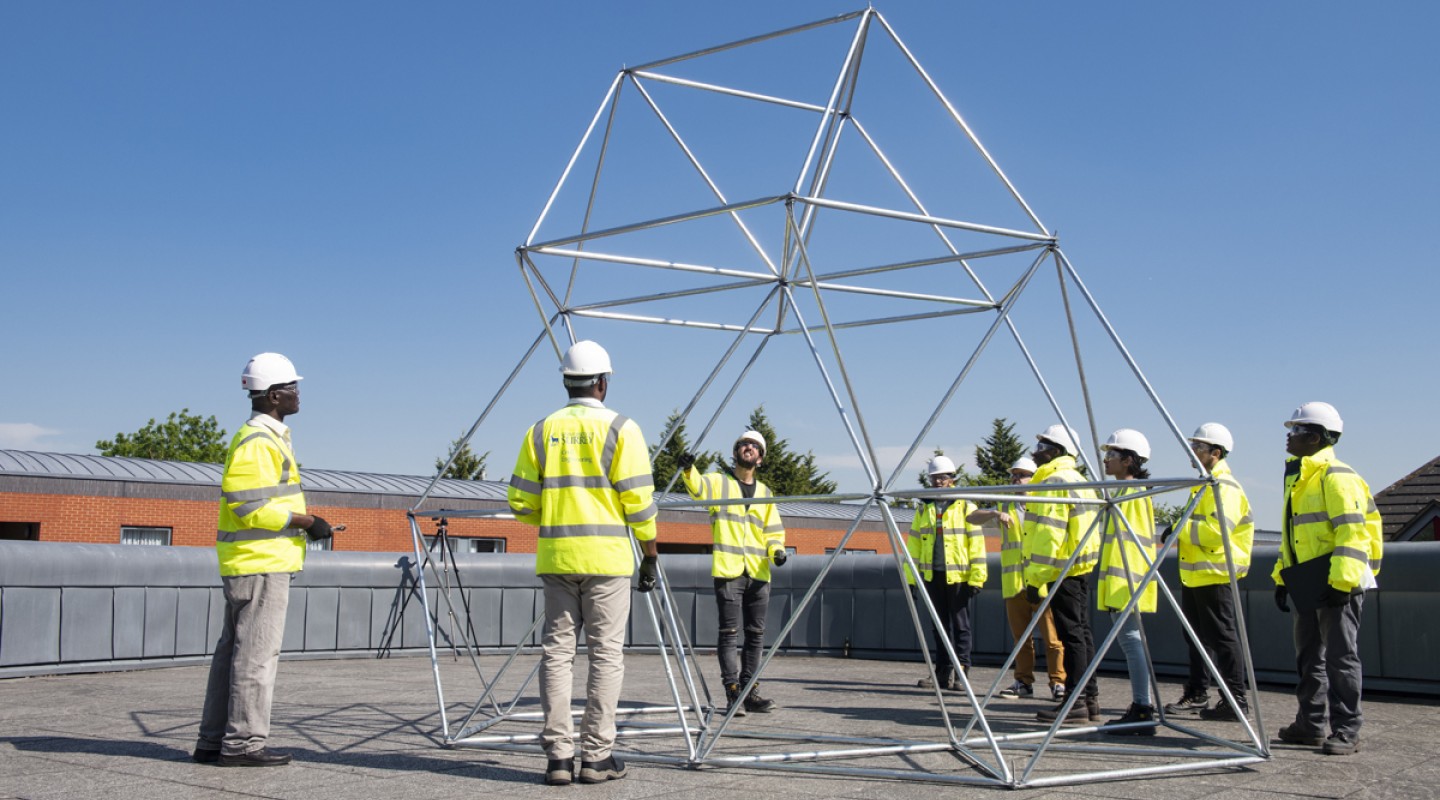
x=81 y=499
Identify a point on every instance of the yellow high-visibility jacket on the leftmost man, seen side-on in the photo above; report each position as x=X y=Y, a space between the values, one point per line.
x=260 y=493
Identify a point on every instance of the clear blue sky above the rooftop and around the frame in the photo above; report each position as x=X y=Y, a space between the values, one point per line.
x=1249 y=189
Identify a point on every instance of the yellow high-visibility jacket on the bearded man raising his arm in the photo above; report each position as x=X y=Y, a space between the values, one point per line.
x=745 y=536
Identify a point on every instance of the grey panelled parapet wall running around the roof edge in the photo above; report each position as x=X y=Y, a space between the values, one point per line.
x=87 y=608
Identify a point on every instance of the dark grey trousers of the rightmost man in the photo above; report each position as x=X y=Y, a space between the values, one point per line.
x=1327 y=657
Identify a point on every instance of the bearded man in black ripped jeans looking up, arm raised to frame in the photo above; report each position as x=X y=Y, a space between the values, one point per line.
x=747 y=540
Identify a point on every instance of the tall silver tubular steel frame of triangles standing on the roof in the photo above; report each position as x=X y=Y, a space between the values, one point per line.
x=699 y=723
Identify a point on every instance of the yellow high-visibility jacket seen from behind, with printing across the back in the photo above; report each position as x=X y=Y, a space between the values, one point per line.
x=584 y=477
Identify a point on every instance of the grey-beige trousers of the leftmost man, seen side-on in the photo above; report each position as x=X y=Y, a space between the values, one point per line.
x=243 y=671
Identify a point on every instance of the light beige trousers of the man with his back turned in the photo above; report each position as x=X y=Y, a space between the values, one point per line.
x=601 y=605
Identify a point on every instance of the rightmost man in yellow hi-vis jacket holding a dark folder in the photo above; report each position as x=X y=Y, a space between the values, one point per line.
x=1328 y=514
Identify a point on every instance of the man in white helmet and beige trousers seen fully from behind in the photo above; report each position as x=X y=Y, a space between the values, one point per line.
x=584 y=478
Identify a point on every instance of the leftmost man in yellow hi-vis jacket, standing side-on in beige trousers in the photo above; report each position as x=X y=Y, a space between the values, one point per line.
x=260 y=542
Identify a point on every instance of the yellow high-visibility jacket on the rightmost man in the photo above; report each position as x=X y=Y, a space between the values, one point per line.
x=1331 y=512
